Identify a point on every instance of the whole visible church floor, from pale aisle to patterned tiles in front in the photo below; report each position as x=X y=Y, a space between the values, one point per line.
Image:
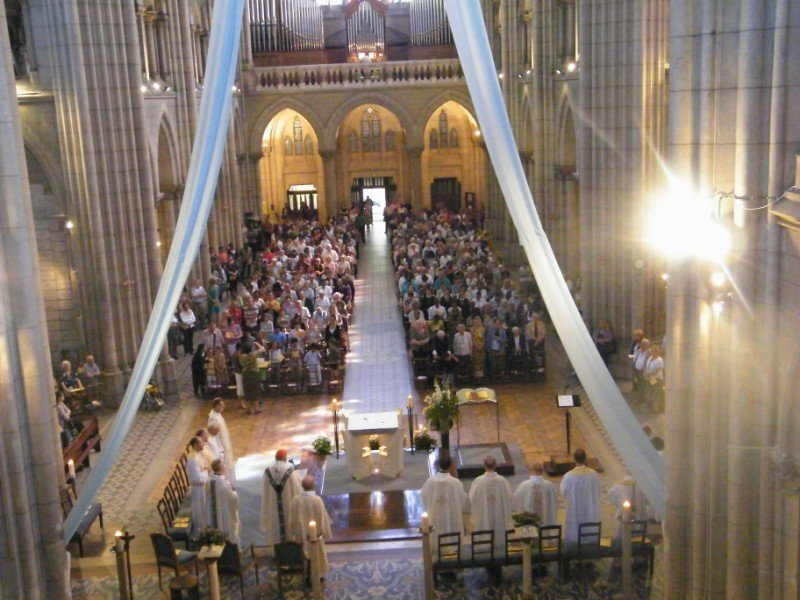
x=377 y=378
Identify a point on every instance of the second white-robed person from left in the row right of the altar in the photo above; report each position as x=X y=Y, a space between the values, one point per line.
x=490 y=502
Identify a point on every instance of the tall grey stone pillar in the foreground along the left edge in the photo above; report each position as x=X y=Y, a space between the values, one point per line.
x=32 y=556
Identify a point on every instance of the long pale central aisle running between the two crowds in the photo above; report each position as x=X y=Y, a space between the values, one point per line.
x=377 y=373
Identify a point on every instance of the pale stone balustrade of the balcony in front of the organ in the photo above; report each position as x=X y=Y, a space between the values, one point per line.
x=434 y=72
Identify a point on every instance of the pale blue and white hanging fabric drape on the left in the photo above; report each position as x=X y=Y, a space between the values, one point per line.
x=198 y=196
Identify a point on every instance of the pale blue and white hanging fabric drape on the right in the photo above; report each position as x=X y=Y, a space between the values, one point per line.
x=472 y=42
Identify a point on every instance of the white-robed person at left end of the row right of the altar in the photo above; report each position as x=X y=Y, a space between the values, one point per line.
x=445 y=501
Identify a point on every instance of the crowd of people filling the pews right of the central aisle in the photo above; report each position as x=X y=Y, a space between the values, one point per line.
x=467 y=317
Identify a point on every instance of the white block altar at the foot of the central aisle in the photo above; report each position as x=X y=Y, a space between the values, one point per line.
x=388 y=459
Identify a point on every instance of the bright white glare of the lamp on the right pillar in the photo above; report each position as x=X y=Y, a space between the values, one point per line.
x=681 y=225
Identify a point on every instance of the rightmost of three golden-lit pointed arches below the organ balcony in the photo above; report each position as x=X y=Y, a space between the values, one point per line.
x=453 y=161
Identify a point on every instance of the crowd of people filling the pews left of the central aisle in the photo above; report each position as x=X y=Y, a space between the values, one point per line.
x=286 y=299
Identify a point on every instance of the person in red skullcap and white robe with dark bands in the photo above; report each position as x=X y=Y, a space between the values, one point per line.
x=281 y=485
